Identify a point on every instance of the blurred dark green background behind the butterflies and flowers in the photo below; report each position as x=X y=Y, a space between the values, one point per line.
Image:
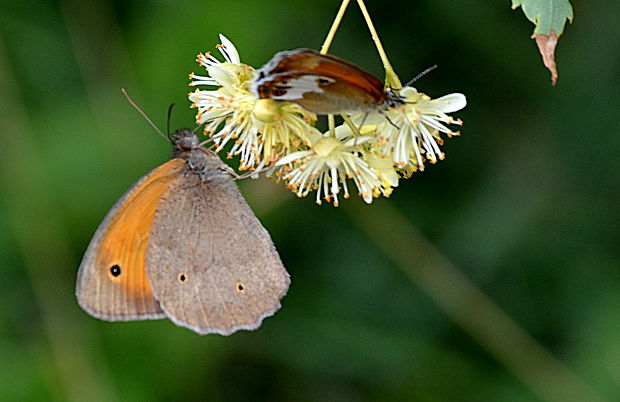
x=525 y=205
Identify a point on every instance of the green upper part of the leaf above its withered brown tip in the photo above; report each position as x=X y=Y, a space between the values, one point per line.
x=547 y=15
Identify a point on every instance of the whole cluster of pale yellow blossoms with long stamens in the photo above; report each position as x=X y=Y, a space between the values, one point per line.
x=372 y=150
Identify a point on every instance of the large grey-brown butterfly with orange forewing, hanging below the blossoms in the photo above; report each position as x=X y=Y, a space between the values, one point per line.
x=182 y=243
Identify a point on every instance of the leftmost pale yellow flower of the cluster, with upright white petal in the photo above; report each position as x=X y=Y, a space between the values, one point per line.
x=262 y=130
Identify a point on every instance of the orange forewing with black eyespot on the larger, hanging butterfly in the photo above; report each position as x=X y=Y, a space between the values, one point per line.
x=112 y=283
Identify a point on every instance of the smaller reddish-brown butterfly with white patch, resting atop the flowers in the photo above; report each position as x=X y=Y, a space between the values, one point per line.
x=321 y=83
